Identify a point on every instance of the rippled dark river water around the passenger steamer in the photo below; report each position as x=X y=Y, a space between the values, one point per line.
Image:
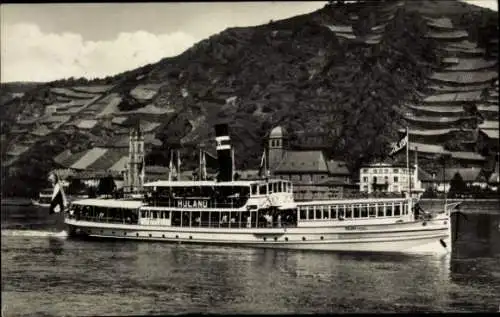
x=48 y=274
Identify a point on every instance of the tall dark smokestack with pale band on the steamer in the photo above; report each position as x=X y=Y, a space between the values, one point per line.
x=224 y=156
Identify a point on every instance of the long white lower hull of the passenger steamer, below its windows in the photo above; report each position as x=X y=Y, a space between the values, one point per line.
x=410 y=237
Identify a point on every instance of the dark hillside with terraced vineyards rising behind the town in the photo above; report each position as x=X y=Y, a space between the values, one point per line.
x=348 y=77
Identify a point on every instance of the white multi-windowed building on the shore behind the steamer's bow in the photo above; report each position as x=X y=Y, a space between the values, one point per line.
x=391 y=178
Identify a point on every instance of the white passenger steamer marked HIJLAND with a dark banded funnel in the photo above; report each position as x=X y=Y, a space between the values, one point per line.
x=260 y=213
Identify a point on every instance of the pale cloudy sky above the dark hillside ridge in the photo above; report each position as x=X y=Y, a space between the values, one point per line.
x=44 y=42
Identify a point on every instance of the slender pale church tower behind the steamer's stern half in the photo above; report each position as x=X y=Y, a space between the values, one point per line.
x=135 y=168
